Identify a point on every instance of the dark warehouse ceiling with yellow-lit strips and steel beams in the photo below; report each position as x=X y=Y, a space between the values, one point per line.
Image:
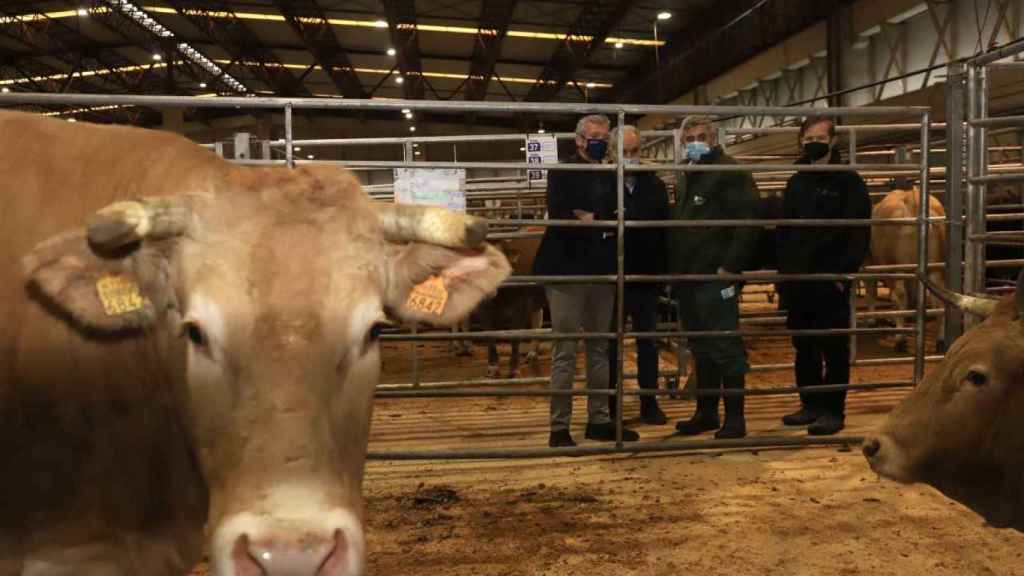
x=495 y=51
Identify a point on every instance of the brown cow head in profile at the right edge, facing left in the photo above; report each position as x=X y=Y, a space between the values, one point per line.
x=960 y=431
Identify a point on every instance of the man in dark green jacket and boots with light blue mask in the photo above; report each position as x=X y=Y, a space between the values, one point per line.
x=721 y=362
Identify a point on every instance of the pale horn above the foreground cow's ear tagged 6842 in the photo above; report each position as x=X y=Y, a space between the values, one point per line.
x=403 y=223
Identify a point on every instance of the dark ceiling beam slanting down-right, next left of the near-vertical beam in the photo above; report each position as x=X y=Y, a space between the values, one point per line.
x=310 y=23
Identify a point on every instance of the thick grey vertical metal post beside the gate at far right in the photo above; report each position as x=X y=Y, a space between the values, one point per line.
x=955 y=195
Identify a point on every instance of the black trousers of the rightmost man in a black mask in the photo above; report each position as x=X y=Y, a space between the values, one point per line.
x=821 y=360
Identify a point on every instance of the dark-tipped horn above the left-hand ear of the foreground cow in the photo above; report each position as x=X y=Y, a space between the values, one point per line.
x=125 y=223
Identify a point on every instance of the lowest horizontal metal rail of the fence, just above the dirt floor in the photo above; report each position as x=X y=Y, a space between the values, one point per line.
x=632 y=448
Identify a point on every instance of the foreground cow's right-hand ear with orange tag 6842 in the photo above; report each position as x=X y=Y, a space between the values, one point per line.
x=442 y=286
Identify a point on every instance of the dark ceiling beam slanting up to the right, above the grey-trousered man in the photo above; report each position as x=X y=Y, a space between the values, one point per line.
x=596 y=20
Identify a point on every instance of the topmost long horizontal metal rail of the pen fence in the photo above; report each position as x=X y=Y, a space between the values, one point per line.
x=455 y=107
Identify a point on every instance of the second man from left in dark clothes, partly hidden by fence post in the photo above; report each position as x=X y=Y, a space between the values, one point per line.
x=645 y=199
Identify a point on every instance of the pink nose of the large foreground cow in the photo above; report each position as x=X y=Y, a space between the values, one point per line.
x=304 y=556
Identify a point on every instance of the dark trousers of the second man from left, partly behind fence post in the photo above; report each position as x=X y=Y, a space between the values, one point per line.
x=641 y=305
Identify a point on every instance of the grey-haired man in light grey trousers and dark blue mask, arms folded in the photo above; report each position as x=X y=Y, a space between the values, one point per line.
x=585 y=196
